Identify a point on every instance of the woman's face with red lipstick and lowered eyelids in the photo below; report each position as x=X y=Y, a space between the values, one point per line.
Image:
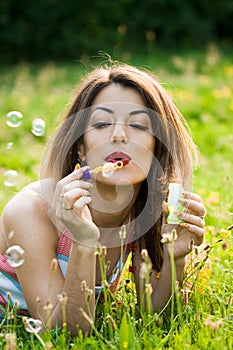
x=119 y=128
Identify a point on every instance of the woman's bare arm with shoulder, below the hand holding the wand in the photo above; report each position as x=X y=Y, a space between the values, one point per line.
x=26 y=216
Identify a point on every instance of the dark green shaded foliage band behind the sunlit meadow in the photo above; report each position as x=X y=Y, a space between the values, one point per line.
x=56 y=29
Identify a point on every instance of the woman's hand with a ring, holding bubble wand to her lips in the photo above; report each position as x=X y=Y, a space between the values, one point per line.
x=70 y=203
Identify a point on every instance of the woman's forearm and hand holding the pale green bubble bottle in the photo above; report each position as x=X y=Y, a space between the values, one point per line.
x=191 y=230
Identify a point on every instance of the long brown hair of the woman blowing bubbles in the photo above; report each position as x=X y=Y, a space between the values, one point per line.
x=175 y=151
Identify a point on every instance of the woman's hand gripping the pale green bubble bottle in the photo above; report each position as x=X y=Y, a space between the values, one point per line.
x=191 y=230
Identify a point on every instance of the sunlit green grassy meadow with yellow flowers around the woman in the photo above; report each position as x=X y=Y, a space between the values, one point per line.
x=201 y=84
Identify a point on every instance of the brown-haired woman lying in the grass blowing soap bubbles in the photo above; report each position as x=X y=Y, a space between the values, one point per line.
x=119 y=114
